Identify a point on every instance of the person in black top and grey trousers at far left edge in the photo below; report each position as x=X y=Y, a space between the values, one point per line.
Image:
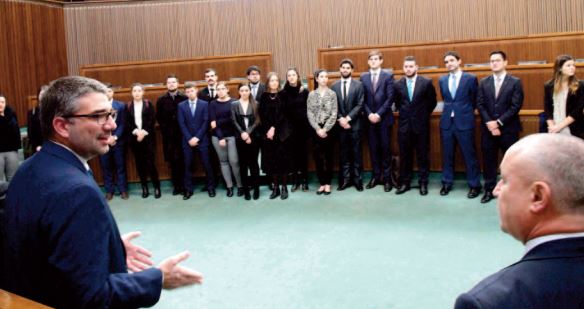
x=10 y=142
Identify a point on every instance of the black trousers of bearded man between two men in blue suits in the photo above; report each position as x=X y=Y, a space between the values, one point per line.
x=410 y=141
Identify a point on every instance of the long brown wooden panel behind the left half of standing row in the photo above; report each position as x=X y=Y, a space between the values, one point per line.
x=152 y=72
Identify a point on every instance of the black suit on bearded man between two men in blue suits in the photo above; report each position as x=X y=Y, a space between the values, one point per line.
x=414 y=127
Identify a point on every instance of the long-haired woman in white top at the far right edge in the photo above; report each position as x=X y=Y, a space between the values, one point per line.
x=564 y=99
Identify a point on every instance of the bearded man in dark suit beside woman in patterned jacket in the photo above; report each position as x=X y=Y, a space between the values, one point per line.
x=350 y=96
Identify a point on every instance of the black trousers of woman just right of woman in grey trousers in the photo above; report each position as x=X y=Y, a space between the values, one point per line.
x=248 y=162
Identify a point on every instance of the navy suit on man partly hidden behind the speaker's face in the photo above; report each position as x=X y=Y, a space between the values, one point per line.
x=117 y=154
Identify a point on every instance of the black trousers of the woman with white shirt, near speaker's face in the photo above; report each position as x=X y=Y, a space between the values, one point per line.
x=145 y=160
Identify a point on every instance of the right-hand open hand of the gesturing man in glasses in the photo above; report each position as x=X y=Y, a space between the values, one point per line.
x=175 y=276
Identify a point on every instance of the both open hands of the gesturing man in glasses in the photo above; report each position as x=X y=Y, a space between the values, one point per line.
x=173 y=275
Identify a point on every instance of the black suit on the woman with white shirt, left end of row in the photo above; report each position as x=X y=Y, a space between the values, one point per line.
x=144 y=151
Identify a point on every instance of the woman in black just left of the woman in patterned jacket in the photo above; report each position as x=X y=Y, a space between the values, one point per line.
x=294 y=96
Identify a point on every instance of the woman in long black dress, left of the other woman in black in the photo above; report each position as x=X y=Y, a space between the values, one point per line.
x=276 y=133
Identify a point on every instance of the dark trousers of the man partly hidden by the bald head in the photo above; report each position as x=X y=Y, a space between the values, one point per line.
x=490 y=146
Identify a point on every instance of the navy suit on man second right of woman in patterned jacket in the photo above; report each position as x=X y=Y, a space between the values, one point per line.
x=379 y=101
